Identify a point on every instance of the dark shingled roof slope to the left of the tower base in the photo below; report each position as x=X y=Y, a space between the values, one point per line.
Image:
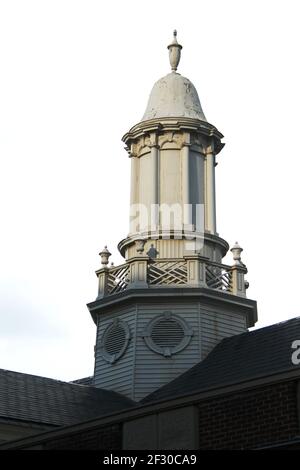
x=41 y=400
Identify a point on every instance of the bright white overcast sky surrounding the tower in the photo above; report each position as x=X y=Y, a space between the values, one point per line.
x=74 y=77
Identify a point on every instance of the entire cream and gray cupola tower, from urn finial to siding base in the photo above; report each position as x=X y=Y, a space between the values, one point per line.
x=173 y=299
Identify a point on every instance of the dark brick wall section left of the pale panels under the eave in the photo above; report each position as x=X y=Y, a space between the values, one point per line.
x=108 y=438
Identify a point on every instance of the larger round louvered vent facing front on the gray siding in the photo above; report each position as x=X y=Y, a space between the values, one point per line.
x=167 y=334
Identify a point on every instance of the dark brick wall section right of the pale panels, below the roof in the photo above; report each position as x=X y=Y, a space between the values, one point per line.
x=249 y=419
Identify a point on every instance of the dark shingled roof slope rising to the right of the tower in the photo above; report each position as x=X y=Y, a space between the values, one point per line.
x=237 y=359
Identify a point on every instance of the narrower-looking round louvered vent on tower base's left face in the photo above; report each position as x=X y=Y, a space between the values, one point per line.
x=114 y=341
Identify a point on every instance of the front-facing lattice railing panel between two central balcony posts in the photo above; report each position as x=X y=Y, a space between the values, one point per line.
x=167 y=272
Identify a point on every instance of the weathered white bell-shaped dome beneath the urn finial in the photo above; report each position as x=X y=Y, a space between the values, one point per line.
x=174 y=96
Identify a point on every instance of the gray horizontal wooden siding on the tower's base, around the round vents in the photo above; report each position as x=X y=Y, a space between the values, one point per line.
x=140 y=370
